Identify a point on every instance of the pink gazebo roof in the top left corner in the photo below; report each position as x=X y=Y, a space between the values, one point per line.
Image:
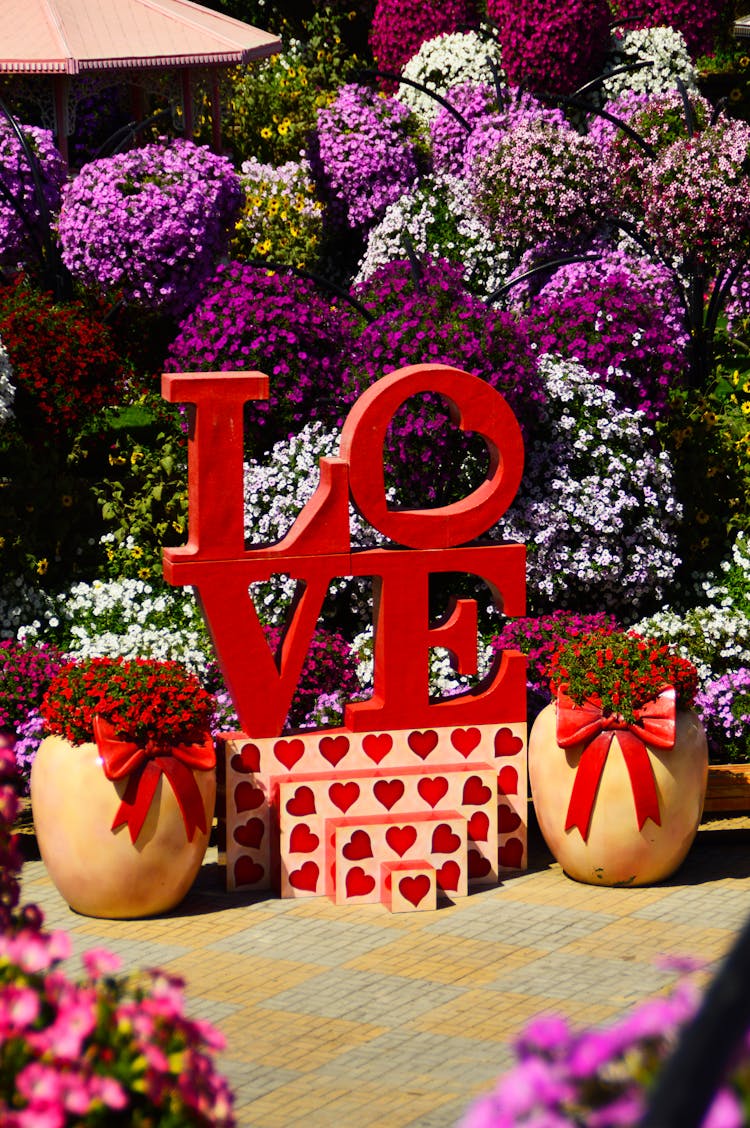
x=74 y=37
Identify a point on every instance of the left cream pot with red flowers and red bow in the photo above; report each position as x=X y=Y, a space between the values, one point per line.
x=123 y=789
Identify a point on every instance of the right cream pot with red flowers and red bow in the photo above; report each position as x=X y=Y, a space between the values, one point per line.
x=619 y=762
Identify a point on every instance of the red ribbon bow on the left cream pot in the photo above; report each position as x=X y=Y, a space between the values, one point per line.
x=145 y=766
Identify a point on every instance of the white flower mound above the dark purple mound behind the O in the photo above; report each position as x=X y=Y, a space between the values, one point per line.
x=439 y=218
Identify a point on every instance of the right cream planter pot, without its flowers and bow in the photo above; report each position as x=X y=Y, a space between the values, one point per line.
x=615 y=852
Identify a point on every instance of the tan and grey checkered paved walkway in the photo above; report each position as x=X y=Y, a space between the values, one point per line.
x=345 y=1018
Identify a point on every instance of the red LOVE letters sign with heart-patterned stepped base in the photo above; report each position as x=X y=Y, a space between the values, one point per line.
x=400 y=737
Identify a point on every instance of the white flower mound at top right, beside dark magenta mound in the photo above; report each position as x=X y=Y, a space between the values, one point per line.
x=664 y=48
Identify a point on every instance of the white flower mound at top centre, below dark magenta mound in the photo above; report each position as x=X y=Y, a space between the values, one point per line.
x=444 y=63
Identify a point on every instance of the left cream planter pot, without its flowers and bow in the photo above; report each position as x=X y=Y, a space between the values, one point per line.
x=100 y=871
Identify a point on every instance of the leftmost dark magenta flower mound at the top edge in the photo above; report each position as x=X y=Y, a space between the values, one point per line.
x=400 y=28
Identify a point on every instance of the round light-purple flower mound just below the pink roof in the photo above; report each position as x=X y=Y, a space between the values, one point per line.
x=151 y=224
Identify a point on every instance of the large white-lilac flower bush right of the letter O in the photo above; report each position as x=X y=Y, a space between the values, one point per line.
x=597 y=508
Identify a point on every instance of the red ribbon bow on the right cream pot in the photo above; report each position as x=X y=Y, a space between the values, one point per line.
x=655 y=725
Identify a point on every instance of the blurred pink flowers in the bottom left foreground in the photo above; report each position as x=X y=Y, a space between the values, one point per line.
x=108 y=1050
